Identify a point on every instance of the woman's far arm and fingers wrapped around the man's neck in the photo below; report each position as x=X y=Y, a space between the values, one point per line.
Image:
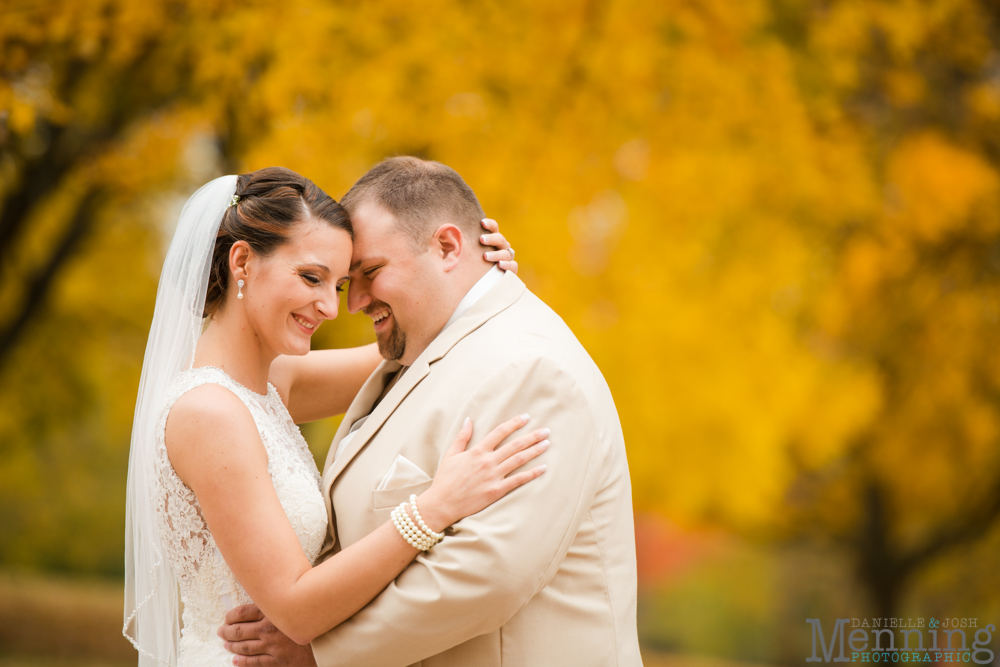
x=324 y=382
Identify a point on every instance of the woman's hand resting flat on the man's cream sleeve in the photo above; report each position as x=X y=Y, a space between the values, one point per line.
x=469 y=480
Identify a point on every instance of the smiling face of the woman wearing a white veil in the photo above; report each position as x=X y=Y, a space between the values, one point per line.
x=289 y=292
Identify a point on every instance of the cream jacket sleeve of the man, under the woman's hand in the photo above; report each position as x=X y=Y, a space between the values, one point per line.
x=492 y=563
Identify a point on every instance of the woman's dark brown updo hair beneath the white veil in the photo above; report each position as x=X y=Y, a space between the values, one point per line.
x=270 y=202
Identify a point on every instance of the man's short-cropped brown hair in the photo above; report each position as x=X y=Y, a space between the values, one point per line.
x=421 y=194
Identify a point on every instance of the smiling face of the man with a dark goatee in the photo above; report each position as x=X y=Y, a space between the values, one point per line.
x=393 y=284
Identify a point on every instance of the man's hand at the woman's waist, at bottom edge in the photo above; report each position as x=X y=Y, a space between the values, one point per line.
x=257 y=643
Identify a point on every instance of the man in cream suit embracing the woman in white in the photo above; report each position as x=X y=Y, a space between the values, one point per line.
x=546 y=575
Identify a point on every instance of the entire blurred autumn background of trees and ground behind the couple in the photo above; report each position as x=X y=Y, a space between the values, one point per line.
x=775 y=225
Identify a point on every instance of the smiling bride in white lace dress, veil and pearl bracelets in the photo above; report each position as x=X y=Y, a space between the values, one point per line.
x=224 y=504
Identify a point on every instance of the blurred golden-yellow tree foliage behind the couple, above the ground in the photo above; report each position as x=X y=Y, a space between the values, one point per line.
x=747 y=228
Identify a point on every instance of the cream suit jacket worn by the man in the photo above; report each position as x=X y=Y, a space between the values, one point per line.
x=545 y=576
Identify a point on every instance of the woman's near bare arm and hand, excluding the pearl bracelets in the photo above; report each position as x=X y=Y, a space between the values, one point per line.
x=216 y=450
